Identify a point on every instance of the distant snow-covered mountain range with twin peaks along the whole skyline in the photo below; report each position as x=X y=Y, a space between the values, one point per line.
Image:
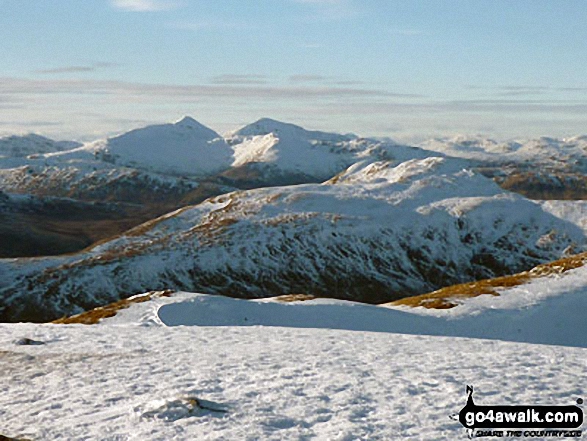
x=266 y=153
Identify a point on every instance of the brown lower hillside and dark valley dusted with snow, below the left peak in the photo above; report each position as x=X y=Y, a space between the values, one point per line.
x=61 y=204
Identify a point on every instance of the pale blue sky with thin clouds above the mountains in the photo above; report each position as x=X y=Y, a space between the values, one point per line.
x=405 y=69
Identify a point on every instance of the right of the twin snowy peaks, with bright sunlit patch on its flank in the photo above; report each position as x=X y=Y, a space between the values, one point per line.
x=269 y=153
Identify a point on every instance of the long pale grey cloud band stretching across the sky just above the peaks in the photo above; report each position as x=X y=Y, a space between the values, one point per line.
x=362 y=100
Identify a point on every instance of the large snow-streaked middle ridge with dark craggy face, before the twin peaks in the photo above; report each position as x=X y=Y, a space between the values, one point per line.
x=374 y=233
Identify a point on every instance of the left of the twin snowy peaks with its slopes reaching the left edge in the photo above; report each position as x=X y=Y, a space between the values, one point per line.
x=153 y=164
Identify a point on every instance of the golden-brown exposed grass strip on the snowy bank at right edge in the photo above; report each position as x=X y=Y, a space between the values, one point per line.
x=449 y=297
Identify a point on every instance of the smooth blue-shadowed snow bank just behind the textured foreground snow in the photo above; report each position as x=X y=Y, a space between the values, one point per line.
x=534 y=315
